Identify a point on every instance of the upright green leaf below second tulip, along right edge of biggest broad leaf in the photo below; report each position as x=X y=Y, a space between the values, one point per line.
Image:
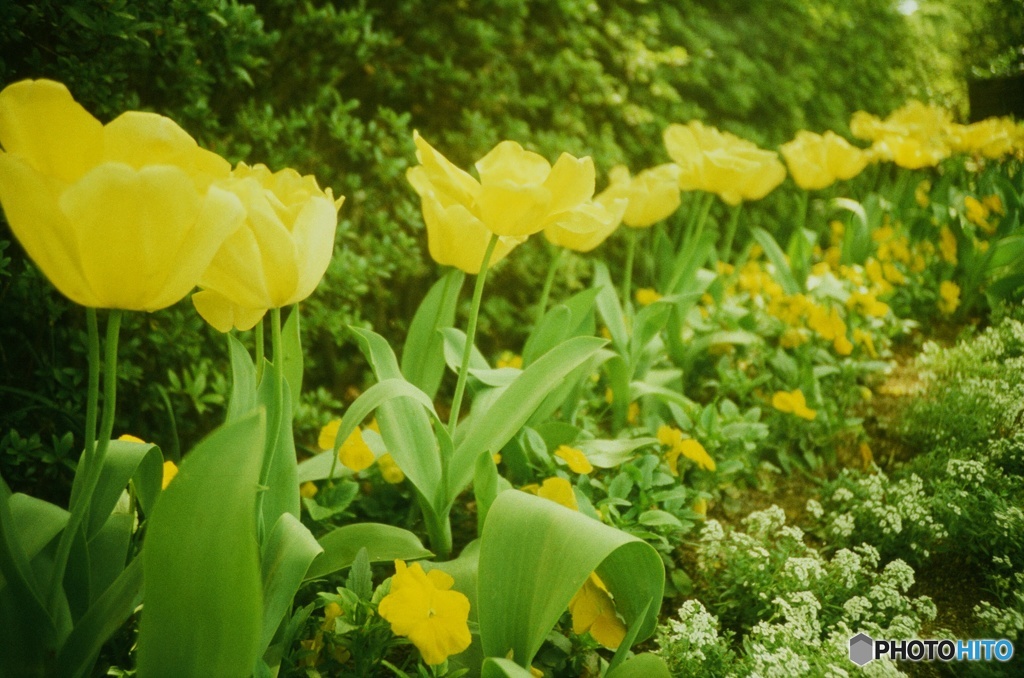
x=282 y=493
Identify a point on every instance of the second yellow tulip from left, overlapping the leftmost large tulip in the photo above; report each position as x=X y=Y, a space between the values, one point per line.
x=281 y=253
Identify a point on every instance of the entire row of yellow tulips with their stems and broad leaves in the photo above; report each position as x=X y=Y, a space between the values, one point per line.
x=134 y=216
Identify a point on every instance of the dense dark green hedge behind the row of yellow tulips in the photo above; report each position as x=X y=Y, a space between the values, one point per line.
x=336 y=90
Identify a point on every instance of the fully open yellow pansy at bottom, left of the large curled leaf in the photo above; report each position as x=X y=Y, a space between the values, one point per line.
x=422 y=608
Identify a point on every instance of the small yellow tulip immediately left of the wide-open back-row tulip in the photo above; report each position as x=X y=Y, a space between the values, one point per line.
x=652 y=196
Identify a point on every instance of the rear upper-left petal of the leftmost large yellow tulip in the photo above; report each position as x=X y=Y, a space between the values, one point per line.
x=41 y=122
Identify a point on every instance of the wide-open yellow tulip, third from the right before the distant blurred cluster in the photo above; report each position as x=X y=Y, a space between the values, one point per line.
x=721 y=163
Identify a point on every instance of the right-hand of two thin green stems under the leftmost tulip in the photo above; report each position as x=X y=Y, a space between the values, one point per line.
x=80 y=512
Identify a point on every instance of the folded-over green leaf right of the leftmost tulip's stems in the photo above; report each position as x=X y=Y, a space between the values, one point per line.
x=125 y=461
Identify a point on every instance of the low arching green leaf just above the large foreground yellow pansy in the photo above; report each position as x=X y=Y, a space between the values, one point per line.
x=383 y=543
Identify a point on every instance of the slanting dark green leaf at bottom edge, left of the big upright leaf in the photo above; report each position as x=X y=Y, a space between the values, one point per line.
x=105 y=618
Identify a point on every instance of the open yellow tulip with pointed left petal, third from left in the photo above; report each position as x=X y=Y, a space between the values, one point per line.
x=519 y=194
